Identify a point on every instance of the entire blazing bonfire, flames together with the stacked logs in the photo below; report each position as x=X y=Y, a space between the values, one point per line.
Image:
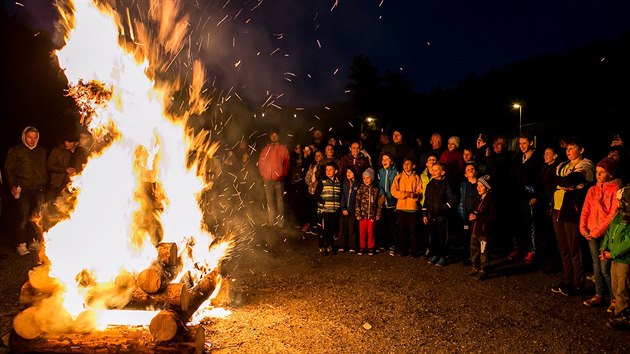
x=132 y=262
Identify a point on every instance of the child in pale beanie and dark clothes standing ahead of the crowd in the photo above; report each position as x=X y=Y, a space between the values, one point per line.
x=481 y=218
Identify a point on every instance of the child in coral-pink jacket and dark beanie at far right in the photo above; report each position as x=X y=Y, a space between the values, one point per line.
x=600 y=207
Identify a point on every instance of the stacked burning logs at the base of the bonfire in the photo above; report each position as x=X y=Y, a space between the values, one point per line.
x=152 y=289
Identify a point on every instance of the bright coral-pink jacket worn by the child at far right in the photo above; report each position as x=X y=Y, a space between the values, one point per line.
x=600 y=207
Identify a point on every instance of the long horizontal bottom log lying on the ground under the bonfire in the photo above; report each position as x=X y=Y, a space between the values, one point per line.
x=112 y=340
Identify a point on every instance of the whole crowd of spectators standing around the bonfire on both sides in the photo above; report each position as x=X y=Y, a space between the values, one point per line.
x=550 y=206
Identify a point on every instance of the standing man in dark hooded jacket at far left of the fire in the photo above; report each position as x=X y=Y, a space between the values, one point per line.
x=26 y=177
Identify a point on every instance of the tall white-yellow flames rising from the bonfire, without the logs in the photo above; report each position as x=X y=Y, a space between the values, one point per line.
x=102 y=236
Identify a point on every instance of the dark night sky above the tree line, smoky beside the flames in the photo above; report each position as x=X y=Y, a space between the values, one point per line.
x=302 y=50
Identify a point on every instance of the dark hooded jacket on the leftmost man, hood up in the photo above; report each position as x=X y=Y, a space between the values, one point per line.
x=26 y=166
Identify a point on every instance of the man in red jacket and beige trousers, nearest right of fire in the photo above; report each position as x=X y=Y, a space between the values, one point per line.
x=273 y=166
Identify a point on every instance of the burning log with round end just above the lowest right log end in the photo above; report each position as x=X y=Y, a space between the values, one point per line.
x=175 y=296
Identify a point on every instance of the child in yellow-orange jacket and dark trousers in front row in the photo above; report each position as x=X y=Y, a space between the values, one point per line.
x=407 y=189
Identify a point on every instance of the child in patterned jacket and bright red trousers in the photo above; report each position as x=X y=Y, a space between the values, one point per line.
x=367 y=211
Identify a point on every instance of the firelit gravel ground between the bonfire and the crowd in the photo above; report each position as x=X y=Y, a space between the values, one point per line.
x=285 y=298
